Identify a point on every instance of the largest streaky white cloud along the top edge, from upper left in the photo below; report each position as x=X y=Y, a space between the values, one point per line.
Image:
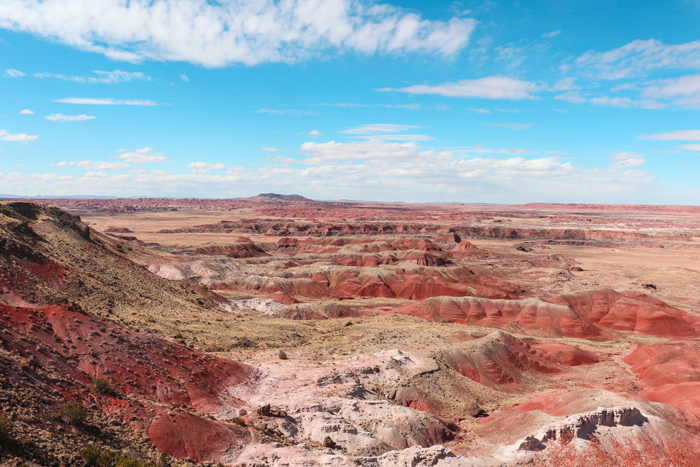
x=245 y=31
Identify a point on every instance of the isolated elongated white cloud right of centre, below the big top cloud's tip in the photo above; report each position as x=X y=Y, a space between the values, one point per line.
x=492 y=87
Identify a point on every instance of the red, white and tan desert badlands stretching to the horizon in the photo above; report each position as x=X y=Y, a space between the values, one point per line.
x=281 y=331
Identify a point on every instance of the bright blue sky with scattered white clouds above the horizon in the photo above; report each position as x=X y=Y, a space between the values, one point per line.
x=538 y=101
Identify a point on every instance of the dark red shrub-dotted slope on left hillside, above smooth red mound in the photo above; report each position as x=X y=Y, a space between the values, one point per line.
x=135 y=363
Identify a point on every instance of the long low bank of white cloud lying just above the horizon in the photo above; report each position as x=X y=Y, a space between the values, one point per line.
x=378 y=171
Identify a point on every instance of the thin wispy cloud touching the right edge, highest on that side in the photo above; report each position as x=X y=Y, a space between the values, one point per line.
x=639 y=57
